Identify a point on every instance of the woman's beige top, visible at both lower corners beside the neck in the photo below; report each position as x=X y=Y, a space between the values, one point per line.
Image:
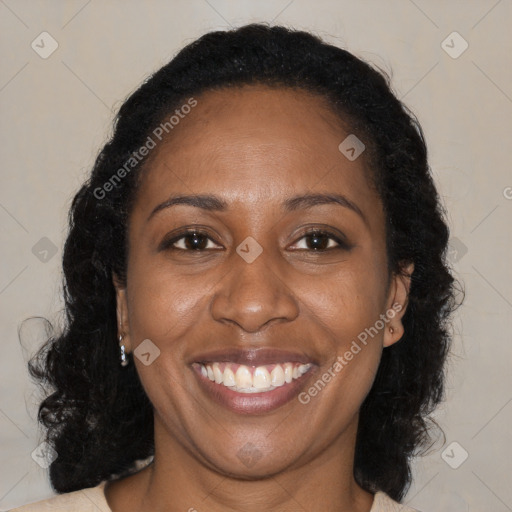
x=93 y=500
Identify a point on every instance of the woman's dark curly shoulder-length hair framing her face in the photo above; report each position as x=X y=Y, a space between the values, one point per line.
x=93 y=406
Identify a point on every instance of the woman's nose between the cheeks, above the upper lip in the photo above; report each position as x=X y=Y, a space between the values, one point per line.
x=253 y=295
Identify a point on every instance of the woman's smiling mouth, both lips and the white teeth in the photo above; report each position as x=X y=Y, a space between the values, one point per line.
x=252 y=382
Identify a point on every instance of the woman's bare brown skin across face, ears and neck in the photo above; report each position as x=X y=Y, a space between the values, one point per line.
x=255 y=147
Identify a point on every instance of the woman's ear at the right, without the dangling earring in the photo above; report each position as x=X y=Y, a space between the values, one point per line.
x=397 y=304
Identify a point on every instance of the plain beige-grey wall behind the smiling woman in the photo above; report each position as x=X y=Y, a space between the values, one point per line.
x=56 y=113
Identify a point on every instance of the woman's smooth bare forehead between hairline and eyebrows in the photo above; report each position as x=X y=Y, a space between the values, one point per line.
x=252 y=144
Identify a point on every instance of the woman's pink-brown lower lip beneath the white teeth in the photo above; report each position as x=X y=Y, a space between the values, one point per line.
x=251 y=403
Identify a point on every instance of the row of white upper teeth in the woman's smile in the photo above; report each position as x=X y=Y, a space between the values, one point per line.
x=251 y=379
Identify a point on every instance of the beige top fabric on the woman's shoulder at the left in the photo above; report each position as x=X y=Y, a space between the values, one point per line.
x=91 y=499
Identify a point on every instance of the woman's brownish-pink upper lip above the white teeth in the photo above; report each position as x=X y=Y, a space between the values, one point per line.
x=252 y=357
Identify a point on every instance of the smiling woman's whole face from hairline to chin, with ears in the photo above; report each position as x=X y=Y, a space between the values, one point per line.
x=260 y=285
